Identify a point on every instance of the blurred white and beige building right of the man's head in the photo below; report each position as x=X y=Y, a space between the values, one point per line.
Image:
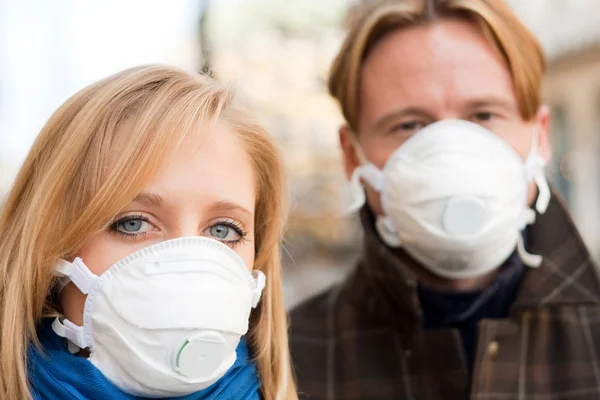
x=570 y=35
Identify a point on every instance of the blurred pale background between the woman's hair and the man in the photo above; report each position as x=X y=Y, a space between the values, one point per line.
x=277 y=55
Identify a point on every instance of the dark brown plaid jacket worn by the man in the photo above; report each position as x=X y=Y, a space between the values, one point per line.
x=362 y=338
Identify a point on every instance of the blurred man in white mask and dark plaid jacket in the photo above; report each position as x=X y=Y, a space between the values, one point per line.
x=474 y=282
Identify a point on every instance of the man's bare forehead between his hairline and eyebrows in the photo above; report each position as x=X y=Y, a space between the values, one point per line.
x=435 y=61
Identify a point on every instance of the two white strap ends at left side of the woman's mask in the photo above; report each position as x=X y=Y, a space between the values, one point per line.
x=78 y=273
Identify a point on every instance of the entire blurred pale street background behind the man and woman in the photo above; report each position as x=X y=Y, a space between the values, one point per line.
x=277 y=54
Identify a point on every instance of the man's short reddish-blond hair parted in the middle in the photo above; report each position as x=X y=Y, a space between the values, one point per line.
x=370 y=22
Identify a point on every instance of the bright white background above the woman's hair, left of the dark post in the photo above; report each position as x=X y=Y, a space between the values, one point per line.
x=49 y=50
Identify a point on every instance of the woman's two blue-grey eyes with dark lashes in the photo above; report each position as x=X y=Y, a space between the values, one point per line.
x=139 y=226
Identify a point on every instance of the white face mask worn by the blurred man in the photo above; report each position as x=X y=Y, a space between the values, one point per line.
x=454 y=196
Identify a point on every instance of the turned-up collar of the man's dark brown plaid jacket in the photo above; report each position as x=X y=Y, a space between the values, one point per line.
x=384 y=286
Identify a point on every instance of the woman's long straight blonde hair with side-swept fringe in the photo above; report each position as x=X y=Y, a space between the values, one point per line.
x=64 y=192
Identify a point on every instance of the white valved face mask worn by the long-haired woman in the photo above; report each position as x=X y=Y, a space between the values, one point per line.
x=164 y=321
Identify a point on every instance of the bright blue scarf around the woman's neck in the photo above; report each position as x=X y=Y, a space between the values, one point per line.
x=59 y=375
